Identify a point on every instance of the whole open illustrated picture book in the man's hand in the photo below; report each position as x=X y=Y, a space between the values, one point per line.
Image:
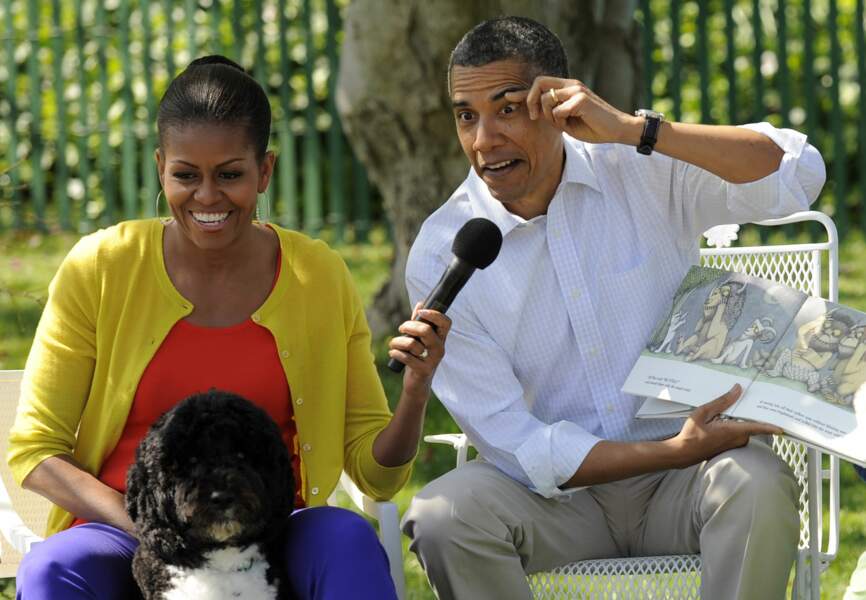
x=800 y=360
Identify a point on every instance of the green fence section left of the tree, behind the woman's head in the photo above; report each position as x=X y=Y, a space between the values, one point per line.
x=80 y=82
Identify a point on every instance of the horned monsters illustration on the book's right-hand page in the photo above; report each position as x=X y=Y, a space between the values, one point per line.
x=822 y=353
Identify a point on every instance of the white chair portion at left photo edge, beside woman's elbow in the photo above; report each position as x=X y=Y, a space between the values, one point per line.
x=15 y=502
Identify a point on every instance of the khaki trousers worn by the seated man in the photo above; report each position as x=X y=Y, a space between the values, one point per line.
x=478 y=532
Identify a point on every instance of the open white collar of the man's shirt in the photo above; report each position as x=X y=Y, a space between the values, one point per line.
x=578 y=169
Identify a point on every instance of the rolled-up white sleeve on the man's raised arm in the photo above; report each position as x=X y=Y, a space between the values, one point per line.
x=707 y=200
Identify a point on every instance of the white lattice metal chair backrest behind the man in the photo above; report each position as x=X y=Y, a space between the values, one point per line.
x=800 y=266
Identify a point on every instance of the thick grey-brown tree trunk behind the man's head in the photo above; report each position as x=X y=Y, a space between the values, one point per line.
x=393 y=98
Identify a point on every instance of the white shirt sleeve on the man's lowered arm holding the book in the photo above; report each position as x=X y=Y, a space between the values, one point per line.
x=478 y=386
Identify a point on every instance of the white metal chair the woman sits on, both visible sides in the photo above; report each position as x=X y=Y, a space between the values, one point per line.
x=22 y=512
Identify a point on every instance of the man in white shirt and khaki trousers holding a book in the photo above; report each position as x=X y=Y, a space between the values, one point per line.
x=597 y=237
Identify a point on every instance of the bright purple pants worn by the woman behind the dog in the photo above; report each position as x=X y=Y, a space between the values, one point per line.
x=332 y=554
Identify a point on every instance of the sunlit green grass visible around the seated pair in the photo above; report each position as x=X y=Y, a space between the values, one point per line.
x=27 y=262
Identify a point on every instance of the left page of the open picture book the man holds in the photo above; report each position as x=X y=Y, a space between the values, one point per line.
x=721 y=328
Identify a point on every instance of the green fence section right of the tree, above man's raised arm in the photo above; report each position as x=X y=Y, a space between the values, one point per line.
x=795 y=63
